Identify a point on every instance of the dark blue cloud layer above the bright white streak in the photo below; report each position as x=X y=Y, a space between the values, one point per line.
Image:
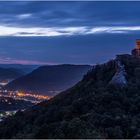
x=90 y=13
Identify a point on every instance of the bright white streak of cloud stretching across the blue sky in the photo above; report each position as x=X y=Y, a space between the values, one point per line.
x=67 y=31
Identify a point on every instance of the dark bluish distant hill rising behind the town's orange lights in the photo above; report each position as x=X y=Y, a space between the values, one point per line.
x=46 y=79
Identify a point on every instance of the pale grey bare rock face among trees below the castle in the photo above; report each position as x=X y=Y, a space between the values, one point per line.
x=119 y=77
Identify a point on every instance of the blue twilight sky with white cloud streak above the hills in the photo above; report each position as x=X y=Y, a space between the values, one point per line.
x=67 y=32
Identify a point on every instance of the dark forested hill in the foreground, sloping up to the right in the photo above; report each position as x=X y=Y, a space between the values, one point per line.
x=93 y=108
